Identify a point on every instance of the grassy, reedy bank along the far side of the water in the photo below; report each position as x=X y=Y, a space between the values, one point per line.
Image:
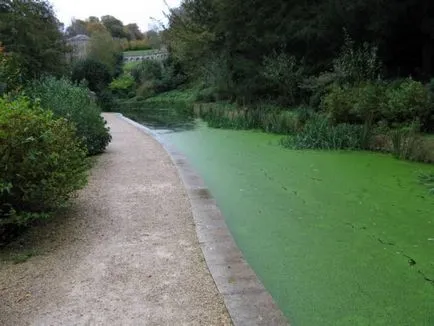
x=301 y=127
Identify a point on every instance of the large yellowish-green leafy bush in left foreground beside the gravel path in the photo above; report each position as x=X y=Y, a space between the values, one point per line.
x=42 y=163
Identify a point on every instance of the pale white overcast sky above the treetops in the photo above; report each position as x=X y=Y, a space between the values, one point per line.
x=128 y=11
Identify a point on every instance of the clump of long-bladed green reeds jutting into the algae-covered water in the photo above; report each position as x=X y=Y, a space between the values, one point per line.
x=319 y=133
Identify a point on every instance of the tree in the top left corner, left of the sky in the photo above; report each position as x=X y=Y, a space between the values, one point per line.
x=30 y=33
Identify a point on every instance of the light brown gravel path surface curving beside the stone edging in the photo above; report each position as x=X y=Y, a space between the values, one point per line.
x=127 y=254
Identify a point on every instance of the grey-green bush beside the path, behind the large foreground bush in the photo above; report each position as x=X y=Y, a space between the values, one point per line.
x=74 y=103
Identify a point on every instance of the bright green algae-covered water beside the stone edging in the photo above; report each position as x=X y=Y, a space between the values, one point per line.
x=338 y=238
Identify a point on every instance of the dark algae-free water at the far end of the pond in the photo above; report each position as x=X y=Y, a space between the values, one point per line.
x=162 y=120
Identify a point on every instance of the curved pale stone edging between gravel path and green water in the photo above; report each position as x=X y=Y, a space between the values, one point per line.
x=246 y=299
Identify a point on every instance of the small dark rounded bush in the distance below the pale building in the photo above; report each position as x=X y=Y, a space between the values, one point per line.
x=94 y=72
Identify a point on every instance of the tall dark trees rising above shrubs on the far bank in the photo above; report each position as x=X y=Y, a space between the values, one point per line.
x=239 y=34
